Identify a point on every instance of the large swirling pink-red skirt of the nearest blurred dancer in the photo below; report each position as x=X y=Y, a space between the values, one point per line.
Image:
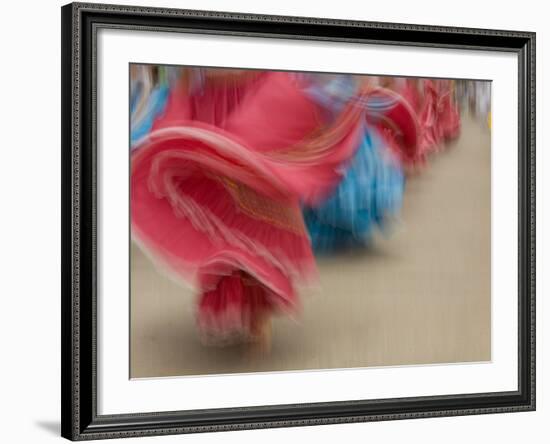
x=216 y=196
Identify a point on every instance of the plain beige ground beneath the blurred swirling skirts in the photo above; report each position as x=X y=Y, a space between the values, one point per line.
x=422 y=295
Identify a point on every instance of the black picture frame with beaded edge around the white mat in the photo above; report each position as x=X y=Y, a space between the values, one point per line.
x=79 y=174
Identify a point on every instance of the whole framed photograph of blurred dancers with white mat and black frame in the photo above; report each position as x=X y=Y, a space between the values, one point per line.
x=277 y=221
